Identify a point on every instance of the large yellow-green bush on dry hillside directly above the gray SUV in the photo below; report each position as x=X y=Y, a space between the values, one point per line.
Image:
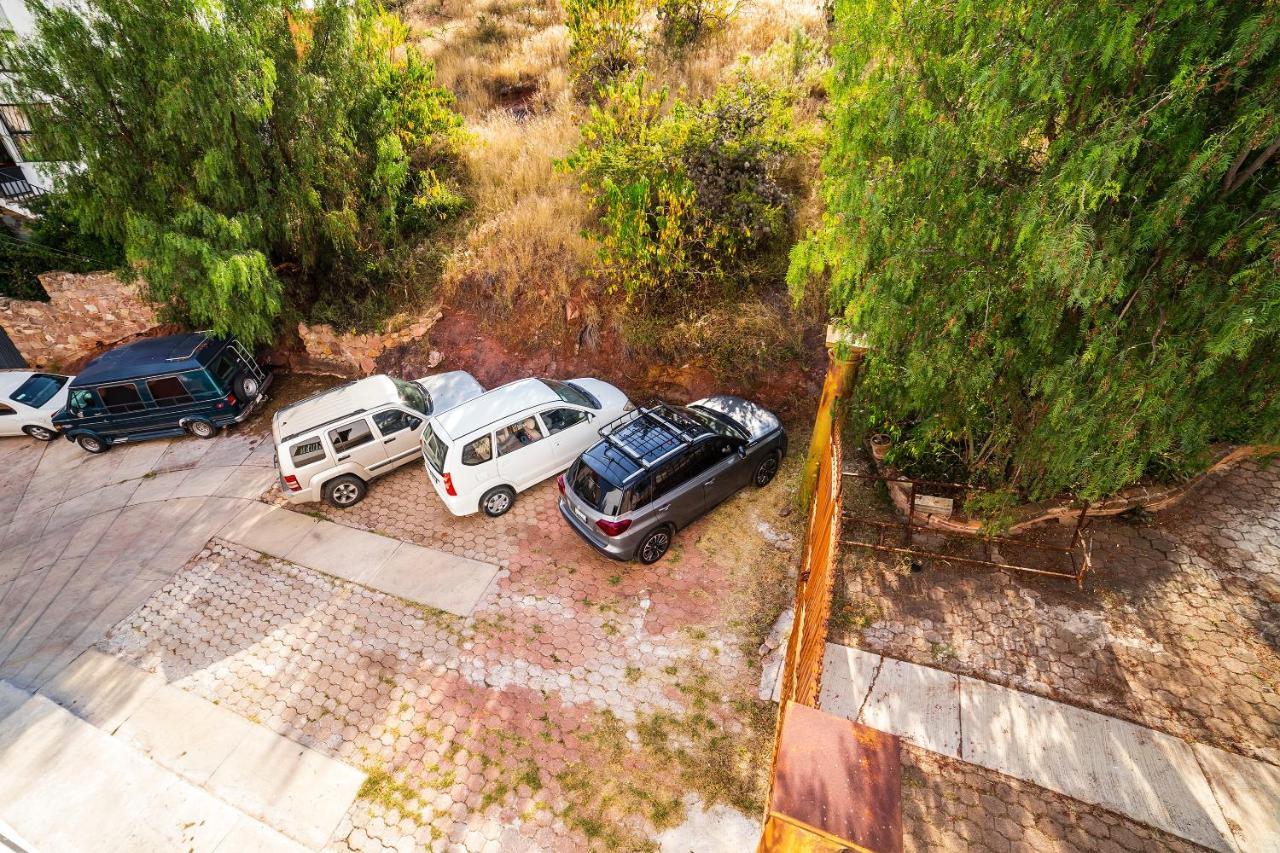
x=691 y=197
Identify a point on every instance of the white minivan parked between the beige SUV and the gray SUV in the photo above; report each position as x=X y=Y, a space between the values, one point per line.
x=481 y=454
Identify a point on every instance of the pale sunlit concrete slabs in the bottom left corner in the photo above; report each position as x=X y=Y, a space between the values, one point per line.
x=150 y=767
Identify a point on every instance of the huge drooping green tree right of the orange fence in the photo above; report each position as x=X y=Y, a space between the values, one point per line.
x=1059 y=225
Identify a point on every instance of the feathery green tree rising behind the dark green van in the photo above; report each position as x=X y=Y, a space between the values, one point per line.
x=252 y=156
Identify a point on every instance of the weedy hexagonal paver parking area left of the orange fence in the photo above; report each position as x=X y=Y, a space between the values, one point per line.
x=573 y=710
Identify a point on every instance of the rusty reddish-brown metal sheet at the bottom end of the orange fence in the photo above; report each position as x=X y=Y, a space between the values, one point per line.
x=839 y=778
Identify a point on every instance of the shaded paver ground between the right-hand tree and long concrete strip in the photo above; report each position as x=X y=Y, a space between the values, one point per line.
x=1178 y=630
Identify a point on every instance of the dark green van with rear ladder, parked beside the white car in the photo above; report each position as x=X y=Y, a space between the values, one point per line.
x=158 y=387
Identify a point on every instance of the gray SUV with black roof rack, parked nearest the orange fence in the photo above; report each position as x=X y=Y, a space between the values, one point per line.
x=661 y=467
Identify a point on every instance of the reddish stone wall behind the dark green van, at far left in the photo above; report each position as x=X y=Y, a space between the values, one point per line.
x=85 y=314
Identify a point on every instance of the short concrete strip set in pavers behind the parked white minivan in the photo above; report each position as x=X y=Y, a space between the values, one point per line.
x=426 y=576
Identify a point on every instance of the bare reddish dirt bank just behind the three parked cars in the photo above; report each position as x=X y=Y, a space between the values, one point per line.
x=500 y=357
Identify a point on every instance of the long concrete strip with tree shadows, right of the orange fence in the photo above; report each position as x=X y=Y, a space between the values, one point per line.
x=1214 y=799
